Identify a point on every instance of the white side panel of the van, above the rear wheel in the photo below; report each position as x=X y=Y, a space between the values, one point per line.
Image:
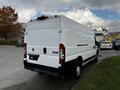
x=79 y=41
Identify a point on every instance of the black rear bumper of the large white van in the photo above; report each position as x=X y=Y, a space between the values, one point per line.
x=43 y=69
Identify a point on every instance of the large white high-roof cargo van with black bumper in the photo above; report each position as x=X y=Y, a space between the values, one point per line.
x=58 y=45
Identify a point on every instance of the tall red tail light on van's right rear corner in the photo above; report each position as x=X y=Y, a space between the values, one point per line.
x=61 y=53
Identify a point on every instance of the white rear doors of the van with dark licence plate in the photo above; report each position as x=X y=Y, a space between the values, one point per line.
x=43 y=45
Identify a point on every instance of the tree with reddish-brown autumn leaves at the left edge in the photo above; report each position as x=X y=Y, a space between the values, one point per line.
x=9 y=27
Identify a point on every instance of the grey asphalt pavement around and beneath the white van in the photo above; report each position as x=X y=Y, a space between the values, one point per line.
x=14 y=77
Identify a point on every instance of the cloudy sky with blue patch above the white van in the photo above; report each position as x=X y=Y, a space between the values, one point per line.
x=95 y=13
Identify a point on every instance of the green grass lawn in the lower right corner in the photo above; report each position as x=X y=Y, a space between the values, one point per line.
x=103 y=76
